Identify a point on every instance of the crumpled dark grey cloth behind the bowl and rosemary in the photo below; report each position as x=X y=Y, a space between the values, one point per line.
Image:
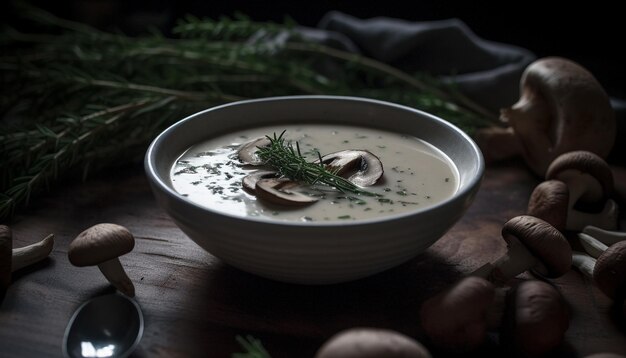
x=488 y=72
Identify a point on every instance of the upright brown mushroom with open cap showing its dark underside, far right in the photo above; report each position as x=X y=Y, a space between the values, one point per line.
x=590 y=181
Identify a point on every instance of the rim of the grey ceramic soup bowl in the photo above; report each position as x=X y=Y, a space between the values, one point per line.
x=156 y=180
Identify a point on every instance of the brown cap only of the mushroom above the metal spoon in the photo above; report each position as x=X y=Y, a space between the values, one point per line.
x=100 y=243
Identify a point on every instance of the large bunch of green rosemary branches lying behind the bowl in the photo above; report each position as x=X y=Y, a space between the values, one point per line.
x=77 y=100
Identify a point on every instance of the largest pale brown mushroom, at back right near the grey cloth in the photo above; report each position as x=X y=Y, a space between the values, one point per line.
x=562 y=107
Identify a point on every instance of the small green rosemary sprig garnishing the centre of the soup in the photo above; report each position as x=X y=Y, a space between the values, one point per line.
x=290 y=163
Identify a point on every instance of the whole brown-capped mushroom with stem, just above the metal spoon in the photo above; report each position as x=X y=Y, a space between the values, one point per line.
x=101 y=245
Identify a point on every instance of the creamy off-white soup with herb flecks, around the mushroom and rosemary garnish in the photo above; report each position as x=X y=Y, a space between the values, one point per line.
x=416 y=174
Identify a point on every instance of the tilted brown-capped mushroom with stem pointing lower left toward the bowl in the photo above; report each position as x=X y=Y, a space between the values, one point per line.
x=532 y=244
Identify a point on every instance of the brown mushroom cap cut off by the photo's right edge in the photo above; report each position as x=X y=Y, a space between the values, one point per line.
x=609 y=274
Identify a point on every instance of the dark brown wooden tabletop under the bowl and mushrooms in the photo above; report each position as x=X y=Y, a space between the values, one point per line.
x=194 y=305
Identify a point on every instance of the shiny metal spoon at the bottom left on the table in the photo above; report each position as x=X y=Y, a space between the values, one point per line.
x=105 y=326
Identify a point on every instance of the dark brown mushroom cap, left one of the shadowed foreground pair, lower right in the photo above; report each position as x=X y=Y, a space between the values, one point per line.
x=455 y=319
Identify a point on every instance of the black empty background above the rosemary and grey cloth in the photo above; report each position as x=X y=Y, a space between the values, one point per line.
x=591 y=33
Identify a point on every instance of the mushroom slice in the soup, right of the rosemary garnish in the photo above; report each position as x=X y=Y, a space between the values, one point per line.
x=360 y=167
